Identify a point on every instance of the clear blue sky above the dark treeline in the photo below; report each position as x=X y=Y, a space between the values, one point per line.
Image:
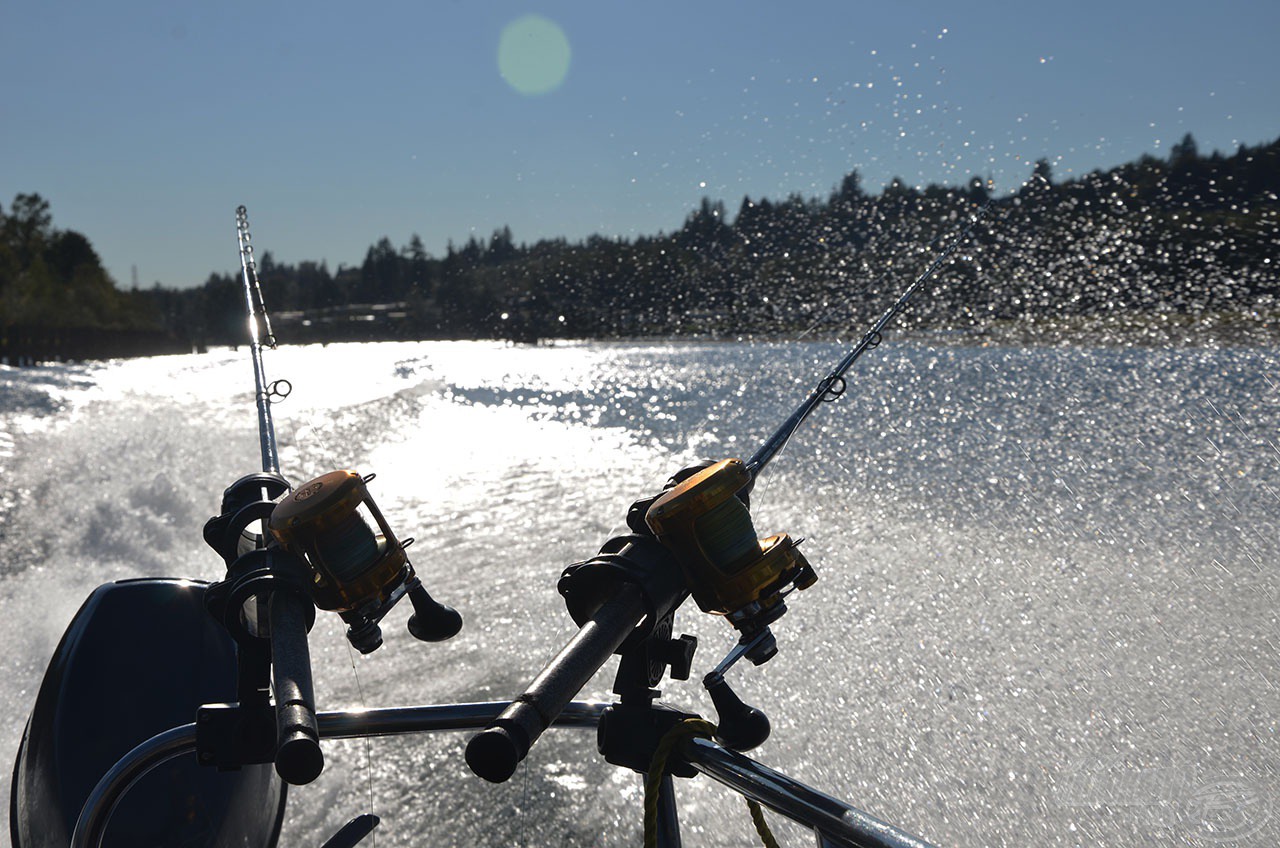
x=145 y=125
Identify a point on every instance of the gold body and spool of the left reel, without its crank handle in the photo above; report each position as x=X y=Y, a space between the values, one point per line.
x=324 y=523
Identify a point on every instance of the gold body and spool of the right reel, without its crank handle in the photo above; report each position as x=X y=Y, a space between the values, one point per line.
x=730 y=571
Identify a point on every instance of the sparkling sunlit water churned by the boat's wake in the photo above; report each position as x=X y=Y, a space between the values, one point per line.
x=1046 y=603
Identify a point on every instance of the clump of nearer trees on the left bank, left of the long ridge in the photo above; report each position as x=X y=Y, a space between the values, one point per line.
x=57 y=302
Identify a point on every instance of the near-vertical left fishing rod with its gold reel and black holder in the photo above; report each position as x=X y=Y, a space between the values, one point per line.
x=292 y=550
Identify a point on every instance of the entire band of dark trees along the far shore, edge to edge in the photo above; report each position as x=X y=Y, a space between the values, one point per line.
x=1169 y=252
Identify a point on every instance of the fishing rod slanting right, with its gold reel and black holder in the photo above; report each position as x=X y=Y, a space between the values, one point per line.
x=696 y=537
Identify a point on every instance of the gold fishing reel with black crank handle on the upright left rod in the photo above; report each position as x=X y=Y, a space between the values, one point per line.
x=355 y=571
